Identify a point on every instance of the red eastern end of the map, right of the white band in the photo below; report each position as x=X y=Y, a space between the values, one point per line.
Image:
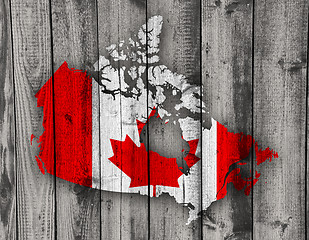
x=232 y=148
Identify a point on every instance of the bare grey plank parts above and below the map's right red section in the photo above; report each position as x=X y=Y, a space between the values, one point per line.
x=227 y=81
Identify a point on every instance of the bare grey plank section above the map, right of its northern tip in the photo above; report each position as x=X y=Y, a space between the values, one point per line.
x=180 y=38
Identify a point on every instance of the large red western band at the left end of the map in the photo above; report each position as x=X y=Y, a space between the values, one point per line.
x=73 y=126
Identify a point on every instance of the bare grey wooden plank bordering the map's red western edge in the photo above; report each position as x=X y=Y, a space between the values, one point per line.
x=32 y=68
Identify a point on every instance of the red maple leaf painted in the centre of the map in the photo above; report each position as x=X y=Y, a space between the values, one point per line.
x=133 y=161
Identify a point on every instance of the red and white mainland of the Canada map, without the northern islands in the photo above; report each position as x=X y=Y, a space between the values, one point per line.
x=93 y=139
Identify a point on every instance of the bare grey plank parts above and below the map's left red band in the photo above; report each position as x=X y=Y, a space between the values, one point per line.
x=74 y=31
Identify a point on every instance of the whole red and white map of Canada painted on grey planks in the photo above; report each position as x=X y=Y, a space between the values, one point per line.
x=133 y=124
